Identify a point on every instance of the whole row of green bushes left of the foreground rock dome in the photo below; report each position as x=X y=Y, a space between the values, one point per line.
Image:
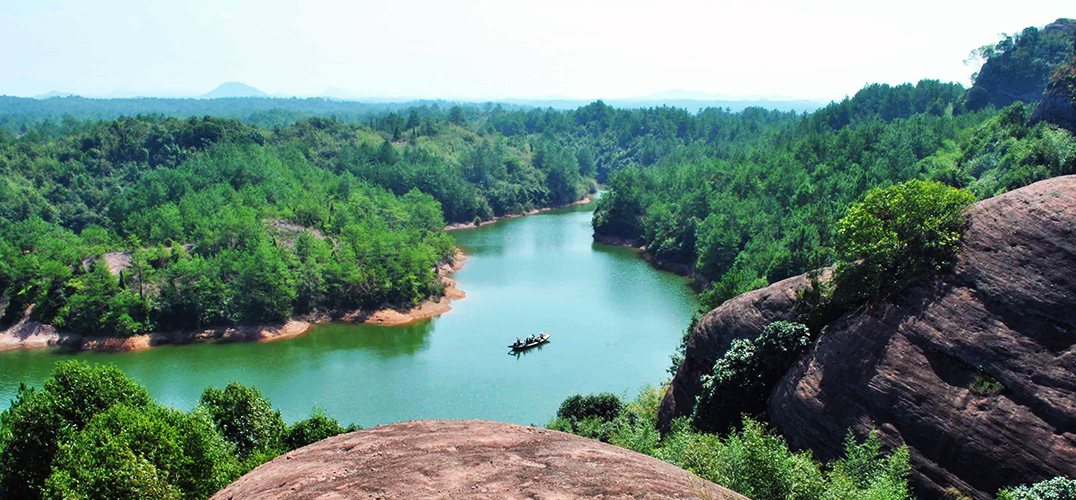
x=91 y=433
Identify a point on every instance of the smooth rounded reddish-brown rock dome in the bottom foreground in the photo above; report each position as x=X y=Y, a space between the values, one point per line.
x=468 y=460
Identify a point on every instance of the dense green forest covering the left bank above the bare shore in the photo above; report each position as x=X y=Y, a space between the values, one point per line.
x=153 y=223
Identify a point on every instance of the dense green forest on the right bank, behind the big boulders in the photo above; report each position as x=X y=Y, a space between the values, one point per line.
x=743 y=216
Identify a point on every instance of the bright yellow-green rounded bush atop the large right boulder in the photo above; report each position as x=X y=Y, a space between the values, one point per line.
x=896 y=236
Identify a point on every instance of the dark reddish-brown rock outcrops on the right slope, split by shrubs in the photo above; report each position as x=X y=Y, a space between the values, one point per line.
x=907 y=367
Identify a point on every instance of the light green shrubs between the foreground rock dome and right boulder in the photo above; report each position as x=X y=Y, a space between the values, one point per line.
x=755 y=462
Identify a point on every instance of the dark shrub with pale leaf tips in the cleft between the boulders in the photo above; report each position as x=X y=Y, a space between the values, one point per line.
x=744 y=377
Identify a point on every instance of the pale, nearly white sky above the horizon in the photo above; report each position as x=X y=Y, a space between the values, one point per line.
x=498 y=50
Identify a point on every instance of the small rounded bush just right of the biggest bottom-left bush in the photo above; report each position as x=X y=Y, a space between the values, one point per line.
x=246 y=419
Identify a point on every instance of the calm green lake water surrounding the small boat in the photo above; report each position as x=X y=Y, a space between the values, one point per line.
x=614 y=320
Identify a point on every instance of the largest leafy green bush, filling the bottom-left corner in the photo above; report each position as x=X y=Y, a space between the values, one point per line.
x=93 y=433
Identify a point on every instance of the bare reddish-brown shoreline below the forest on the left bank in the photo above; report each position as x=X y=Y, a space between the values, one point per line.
x=31 y=335
